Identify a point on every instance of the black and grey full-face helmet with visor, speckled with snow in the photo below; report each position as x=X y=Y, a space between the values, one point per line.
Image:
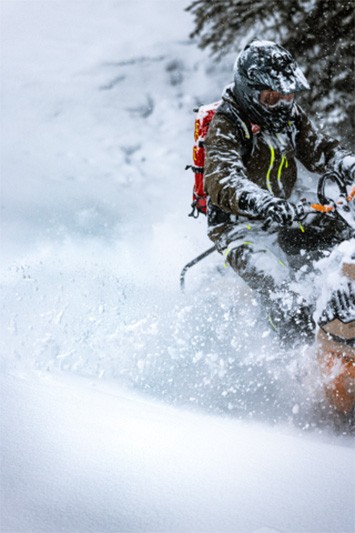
x=266 y=65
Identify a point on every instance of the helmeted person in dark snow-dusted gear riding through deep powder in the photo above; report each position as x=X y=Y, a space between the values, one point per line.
x=252 y=145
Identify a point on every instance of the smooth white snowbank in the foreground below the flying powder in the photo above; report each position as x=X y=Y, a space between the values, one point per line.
x=85 y=457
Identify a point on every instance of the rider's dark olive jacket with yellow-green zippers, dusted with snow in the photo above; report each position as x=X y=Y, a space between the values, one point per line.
x=238 y=160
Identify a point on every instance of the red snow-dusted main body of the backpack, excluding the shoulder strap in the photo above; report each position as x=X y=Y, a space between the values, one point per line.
x=203 y=119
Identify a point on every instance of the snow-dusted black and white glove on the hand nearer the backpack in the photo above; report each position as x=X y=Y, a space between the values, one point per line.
x=268 y=207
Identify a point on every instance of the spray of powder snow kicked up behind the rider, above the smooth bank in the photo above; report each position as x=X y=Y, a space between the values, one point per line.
x=211 y=348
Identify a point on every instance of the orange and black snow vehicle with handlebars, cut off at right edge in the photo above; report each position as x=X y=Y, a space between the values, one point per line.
x=334 y=336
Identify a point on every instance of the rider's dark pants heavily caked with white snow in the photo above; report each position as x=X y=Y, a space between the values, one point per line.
x=279 y=264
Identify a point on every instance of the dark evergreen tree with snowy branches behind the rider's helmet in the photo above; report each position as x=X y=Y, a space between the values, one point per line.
x=319 y=33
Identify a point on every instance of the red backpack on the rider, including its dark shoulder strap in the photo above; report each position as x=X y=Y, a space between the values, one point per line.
x=203 y=120
